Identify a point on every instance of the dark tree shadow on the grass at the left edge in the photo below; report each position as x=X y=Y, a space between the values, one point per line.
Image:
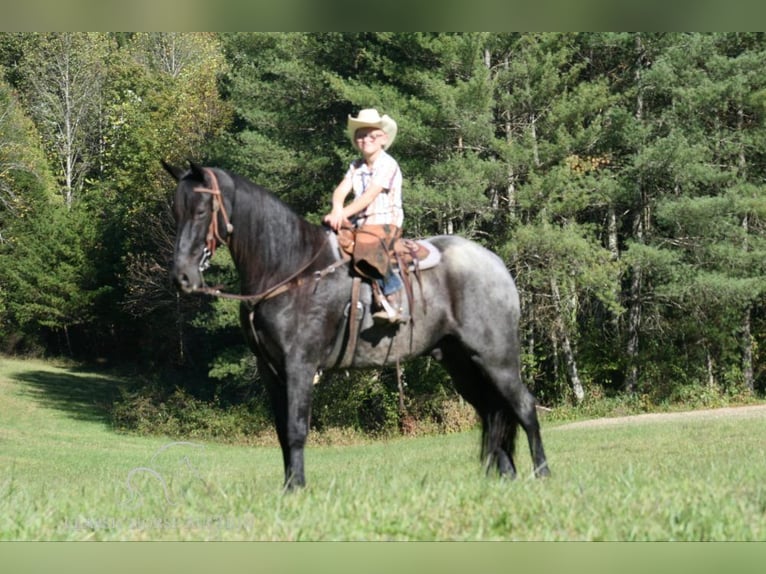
x=83 y=396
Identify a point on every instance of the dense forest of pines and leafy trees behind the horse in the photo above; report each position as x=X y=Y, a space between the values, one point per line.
x=621 y=176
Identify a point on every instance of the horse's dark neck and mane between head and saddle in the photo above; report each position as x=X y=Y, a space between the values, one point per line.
x=270 y=240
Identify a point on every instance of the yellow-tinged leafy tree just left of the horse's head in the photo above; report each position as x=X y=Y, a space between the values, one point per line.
x=162 y=103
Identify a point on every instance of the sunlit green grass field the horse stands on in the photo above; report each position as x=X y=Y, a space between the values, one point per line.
x=66 y=475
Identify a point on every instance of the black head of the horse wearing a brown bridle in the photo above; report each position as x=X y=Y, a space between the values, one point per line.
x=201 y=224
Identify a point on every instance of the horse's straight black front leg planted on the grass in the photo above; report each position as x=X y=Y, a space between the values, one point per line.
x=299 y=383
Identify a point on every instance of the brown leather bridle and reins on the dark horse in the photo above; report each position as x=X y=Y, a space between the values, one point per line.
x=213 y=237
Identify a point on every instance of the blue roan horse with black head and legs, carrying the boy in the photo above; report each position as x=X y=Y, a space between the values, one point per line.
x=465 y=313
